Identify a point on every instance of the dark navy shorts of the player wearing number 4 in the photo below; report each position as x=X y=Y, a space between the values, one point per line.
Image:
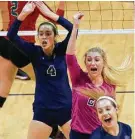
x=52 y=117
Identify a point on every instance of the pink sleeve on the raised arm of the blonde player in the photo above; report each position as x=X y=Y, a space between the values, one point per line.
x=74 y=69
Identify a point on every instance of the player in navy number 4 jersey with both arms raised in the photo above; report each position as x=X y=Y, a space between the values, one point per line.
x=52 y=104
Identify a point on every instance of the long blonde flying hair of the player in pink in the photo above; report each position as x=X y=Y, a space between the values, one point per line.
x=109 y=73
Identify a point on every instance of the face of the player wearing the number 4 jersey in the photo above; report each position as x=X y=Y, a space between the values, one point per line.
x=46 y=37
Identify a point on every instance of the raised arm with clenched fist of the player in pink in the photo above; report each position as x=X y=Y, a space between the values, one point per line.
x=74 y=69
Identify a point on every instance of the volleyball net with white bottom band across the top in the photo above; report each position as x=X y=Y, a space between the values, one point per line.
x=100 y=17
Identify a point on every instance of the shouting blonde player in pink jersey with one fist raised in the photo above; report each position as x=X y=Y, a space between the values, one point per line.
x=86 y=86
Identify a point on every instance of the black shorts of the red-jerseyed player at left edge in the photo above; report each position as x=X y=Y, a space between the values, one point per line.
x=11 y=52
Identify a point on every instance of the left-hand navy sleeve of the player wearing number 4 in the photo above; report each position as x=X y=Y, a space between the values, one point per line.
x=26 y=47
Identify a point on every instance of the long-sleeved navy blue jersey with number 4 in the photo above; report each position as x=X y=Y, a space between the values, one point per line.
x=52 y=85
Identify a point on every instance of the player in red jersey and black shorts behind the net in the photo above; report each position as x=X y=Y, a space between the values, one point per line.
x=10 y=55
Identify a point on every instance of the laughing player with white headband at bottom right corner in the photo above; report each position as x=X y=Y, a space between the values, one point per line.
x=107 y=110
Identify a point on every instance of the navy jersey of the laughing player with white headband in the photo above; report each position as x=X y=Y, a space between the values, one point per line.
x=124 y=133
